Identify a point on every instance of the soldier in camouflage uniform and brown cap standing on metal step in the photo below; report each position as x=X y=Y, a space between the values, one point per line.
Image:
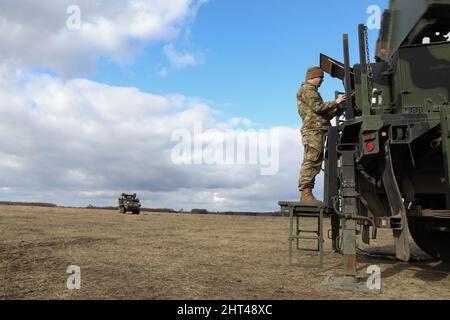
x=316 y=115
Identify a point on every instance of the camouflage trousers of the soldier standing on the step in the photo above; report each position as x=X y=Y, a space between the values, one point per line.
x=312 y=158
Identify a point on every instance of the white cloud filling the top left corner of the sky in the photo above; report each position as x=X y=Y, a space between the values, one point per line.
x=35 y=34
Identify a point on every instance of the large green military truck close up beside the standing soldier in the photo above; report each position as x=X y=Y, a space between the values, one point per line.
x=387 y=160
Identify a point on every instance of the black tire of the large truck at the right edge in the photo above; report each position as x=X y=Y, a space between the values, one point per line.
x=434 y=243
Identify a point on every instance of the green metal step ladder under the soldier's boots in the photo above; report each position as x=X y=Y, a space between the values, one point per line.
x=298 y=211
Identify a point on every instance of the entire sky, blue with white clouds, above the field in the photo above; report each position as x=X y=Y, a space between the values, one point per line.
x=92 y=110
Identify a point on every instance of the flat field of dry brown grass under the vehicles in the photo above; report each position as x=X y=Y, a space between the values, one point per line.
x=168 y=256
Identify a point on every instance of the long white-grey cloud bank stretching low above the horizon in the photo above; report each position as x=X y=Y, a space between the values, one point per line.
x=78 y=142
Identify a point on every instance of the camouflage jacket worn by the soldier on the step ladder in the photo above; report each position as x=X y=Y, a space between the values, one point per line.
x=315 y=113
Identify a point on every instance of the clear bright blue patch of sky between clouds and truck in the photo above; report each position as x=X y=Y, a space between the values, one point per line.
x=254 y=54
